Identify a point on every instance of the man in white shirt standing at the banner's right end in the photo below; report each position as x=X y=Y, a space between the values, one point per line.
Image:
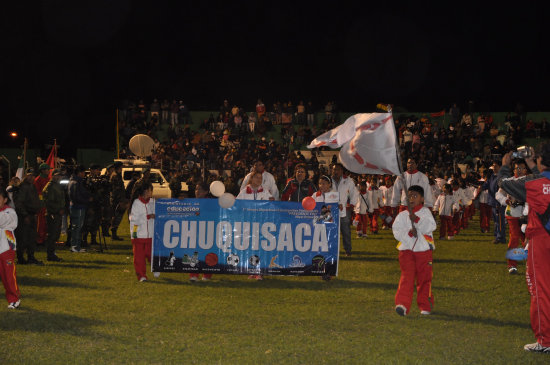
x=345 y=186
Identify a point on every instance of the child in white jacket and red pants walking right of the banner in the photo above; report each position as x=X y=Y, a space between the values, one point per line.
x=415 y=254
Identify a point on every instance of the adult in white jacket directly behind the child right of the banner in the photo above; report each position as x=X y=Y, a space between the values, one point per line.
x=412 y=177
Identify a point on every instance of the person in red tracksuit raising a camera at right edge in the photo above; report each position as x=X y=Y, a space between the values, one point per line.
x=535 y=190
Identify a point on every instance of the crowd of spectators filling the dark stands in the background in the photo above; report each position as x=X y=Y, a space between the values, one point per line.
x=229 y=140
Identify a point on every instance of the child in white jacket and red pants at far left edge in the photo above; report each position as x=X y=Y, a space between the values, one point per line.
x=8 y=223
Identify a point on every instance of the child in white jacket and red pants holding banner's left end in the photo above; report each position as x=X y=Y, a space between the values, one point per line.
x=142 y=222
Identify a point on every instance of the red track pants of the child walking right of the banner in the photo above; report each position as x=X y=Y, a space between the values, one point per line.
x=415 y=266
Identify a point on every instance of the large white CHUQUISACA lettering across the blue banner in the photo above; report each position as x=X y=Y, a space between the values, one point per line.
x=243 y=237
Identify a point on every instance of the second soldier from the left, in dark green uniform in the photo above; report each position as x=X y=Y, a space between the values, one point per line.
x=54 y=200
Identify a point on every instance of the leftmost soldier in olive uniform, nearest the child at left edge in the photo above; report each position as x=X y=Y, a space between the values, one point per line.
x=27 y=205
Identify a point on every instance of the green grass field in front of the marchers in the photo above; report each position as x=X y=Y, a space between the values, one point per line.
x=90 y=309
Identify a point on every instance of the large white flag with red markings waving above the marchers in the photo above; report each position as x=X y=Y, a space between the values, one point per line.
x=368 y=143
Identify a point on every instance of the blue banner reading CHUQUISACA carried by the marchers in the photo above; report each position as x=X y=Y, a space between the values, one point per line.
x=252 y=237
